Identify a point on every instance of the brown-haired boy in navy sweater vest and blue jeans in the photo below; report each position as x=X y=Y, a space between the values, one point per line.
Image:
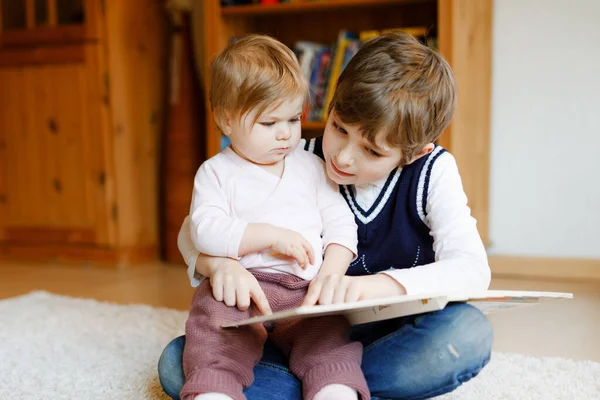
x=416 y=234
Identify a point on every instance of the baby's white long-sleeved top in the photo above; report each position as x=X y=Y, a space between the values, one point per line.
x=231 y=192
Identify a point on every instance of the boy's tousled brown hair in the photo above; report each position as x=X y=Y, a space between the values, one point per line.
x=398 y=86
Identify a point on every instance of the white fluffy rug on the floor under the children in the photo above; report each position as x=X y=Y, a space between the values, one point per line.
x=56 y=347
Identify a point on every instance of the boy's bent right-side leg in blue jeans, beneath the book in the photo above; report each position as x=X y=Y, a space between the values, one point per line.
x=427 y=355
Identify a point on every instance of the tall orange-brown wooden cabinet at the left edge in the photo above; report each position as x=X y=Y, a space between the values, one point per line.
x=81 y=109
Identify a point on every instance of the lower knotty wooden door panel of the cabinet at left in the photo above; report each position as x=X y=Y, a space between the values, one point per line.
x=51 y=180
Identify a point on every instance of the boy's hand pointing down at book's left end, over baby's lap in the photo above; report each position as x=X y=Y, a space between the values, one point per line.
x=236 y=286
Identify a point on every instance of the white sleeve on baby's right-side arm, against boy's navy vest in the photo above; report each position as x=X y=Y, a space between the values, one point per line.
x=338 y=221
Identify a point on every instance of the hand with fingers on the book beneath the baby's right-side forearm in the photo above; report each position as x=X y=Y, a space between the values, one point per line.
x=332 y=289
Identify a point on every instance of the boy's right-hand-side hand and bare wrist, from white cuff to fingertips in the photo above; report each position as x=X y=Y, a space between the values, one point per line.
x=333 y=289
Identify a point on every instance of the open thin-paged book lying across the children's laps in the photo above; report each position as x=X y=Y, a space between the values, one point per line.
x=361 y=312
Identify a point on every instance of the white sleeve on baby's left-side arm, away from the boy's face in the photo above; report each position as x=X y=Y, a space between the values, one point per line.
x=213 y=230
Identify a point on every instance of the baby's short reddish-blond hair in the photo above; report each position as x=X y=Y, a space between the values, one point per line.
x=254 y=73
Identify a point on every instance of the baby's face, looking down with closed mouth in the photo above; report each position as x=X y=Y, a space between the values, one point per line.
x=275 y=134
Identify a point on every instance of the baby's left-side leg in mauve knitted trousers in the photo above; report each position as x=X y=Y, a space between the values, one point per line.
x=217 y=360
